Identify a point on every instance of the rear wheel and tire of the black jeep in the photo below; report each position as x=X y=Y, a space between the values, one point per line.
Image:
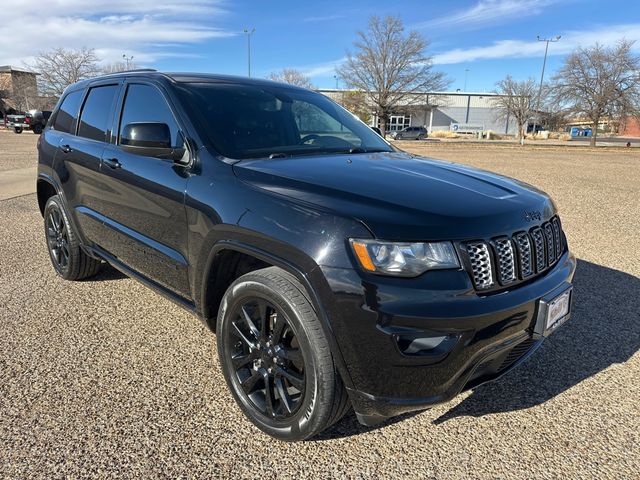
x=67 y=258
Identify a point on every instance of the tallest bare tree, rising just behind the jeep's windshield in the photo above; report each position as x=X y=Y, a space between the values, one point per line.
x=390 y=66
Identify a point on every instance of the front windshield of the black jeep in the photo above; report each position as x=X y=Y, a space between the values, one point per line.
x=256 y=121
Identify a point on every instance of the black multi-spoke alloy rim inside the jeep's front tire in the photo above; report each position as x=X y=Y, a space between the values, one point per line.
x=266 y=357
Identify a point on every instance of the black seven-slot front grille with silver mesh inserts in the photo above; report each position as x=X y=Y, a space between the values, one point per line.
x=505 y=260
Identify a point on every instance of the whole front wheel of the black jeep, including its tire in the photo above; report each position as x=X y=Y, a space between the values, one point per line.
x=270 y=342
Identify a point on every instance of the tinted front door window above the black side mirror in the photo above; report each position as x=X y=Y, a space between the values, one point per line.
x=145 y=103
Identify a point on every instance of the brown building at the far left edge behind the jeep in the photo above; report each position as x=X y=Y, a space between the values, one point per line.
x=18 y=89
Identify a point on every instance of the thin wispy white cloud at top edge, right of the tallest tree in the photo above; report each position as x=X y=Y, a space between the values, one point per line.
x=487 y=12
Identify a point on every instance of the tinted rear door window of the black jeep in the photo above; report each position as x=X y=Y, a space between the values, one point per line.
x=94 y=119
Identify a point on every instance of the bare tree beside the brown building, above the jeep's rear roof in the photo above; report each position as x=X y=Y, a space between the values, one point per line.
x=59 y=68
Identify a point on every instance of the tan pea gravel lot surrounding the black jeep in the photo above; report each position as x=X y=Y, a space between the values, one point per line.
x=104 y=378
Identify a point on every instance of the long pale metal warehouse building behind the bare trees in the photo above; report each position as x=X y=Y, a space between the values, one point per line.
x=455 y=111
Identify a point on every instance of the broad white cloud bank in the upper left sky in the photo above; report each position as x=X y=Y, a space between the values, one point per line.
x=147 y=29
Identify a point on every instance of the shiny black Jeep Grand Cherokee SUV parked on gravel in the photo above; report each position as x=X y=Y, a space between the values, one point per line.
x=337 y=271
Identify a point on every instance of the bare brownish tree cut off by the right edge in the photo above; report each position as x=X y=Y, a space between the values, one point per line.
x=600 y=83
